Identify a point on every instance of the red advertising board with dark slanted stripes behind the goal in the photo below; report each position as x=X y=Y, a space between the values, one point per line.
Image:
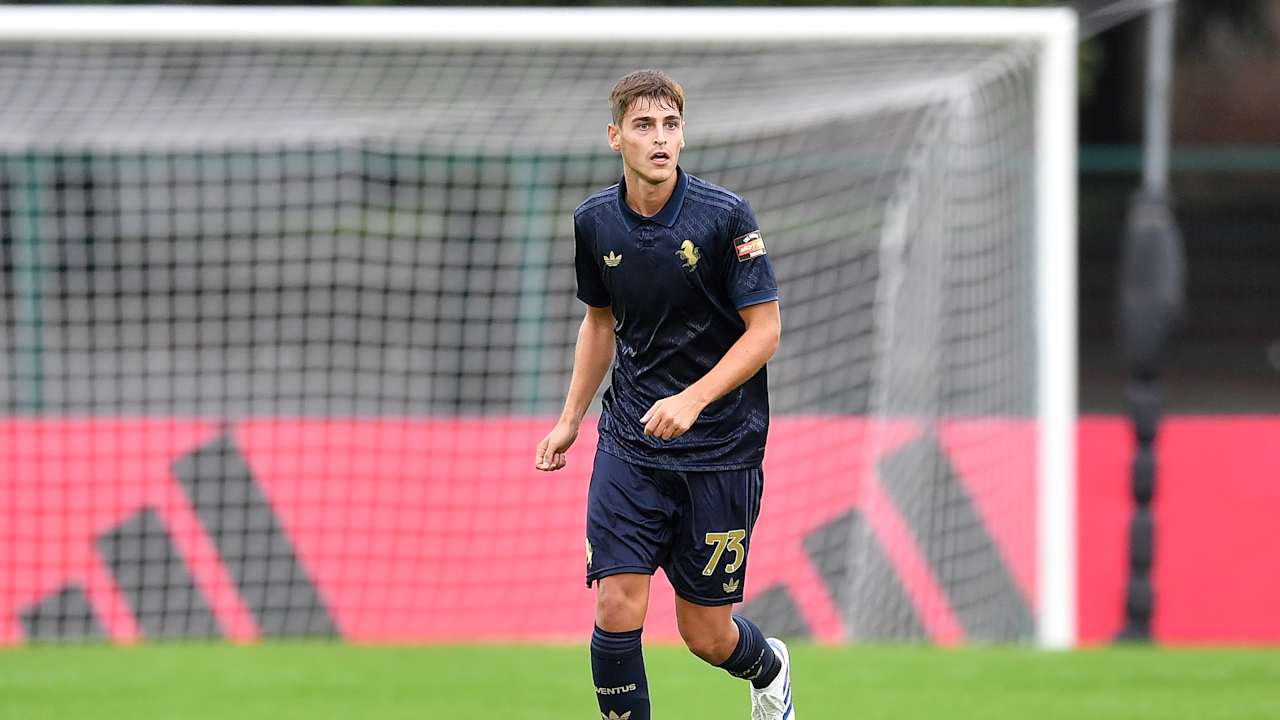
x=419 y=531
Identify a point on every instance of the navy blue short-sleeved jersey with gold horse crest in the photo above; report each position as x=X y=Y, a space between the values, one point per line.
x=675 y=284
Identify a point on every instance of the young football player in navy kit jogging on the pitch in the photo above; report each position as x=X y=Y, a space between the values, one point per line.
x=674 y=272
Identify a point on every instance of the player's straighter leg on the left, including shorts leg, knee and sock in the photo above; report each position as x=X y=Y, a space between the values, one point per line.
x=629 y=527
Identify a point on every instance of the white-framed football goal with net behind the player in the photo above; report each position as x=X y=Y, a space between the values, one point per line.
x=289 y=303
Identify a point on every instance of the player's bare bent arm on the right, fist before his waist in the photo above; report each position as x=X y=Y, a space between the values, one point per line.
x=671 y=417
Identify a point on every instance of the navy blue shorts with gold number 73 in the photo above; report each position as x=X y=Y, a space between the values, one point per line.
x=696 y=526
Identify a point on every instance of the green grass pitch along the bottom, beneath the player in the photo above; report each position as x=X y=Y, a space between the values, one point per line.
x=321 y=681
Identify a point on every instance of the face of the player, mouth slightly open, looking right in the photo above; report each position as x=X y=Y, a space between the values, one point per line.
x=650 y=139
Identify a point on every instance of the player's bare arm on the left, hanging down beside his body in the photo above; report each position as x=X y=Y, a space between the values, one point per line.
x=592 y=359
